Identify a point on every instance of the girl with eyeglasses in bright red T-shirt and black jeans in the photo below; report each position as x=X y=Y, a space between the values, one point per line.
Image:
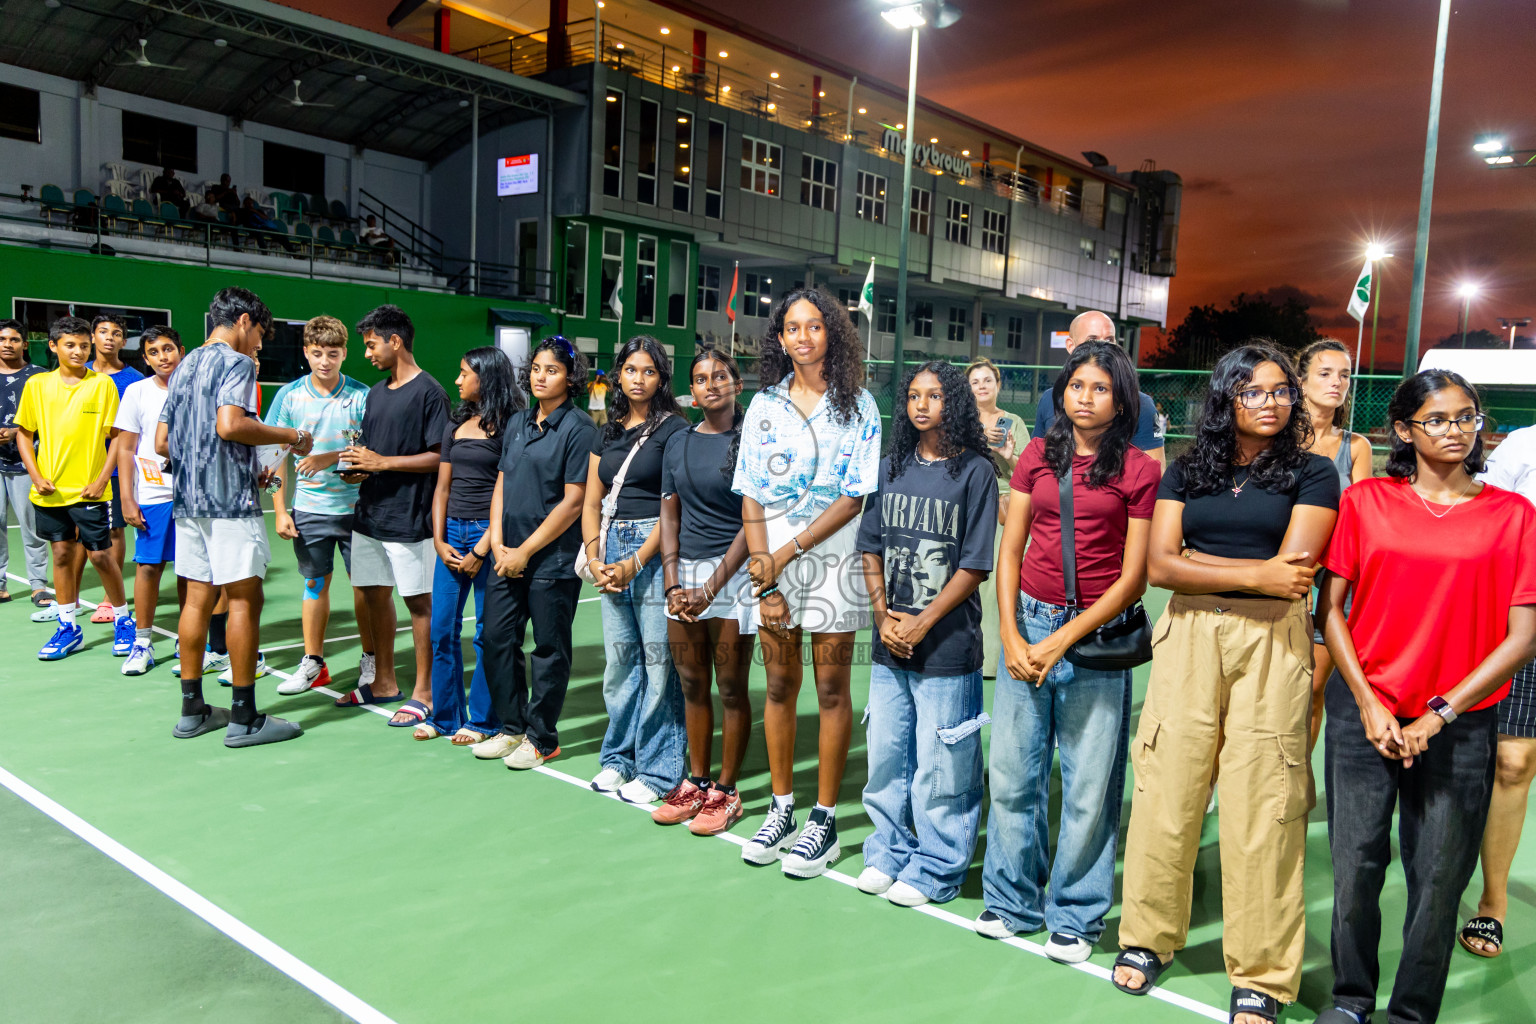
x=1443 y=575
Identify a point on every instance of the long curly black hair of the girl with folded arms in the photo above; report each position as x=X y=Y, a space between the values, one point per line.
x=1208 y=464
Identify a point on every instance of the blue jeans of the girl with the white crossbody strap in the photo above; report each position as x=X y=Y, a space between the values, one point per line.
x=646 y=736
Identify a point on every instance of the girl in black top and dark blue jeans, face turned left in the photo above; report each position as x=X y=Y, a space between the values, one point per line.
x=460 y=523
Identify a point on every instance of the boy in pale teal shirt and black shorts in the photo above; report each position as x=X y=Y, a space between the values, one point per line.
x=326 y=403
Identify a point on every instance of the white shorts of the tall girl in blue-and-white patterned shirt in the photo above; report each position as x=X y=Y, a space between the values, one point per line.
x=826 y=587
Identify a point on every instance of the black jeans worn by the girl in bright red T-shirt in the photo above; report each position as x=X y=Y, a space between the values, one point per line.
x=1443 y=805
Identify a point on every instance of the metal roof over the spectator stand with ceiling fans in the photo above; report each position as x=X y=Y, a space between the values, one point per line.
x=240 y=59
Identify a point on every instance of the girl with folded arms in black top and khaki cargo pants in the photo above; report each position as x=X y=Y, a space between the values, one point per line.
x=1239 y=524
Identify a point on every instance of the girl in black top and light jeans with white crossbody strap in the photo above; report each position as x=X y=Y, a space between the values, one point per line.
x=621 y=532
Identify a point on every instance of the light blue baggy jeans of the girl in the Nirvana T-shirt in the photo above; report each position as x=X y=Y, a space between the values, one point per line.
x=925 y=778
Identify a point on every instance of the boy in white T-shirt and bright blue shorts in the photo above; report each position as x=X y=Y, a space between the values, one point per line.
x=145 y=484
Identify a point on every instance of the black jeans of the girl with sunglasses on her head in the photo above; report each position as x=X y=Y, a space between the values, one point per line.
x=511 y=604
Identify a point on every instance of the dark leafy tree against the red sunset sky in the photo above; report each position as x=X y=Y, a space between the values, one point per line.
x=1210 y=332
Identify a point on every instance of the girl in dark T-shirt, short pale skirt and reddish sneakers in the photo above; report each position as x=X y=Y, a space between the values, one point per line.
x=709 y=595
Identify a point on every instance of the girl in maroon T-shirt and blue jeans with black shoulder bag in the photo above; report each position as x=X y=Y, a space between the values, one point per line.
x=1044 y=702
